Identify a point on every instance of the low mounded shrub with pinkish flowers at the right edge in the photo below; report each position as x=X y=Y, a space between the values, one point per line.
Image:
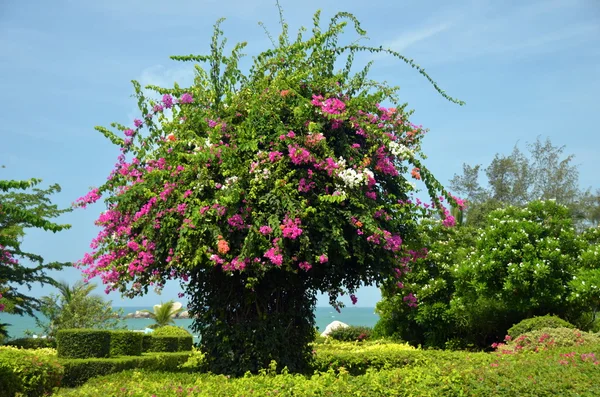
x=548 y=338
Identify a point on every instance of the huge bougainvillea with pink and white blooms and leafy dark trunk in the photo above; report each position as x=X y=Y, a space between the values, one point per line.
x=257 y=190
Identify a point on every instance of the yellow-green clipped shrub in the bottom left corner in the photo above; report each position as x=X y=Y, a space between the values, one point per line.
x=31 y=373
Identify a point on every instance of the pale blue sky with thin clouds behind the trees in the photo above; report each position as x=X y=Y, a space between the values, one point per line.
x=525 y=68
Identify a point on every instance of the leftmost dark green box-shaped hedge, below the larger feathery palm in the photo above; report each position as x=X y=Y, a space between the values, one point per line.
x=83 y=343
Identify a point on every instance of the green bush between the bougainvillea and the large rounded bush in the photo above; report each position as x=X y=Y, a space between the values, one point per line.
x=429 y=322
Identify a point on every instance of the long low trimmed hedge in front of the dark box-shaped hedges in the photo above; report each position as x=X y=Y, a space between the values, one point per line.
x=78 y=371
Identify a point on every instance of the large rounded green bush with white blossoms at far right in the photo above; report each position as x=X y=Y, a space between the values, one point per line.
x=520 y=267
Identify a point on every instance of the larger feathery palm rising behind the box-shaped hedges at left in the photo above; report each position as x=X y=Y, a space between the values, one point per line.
x=74 y=308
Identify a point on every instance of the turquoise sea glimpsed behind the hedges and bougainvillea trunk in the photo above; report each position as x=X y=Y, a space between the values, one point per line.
x=365 y=316
